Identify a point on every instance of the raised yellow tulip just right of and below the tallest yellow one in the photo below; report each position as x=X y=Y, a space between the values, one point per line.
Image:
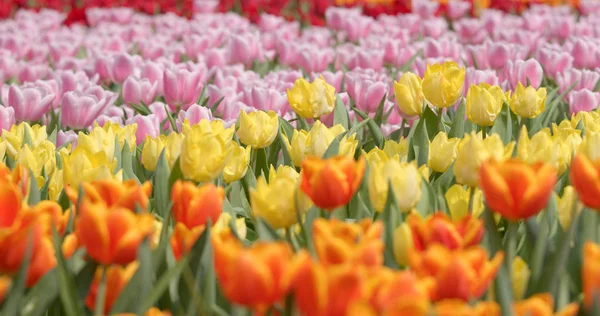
x=484 y=103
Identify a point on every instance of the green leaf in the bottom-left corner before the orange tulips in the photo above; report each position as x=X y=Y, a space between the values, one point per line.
x=16 y=292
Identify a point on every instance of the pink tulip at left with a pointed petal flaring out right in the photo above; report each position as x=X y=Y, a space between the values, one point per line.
x=79 y=110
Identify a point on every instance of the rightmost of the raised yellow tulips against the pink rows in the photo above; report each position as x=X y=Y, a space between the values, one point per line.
x=528 y=102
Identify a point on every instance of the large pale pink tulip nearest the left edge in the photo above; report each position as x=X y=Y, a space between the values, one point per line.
x=30 y=101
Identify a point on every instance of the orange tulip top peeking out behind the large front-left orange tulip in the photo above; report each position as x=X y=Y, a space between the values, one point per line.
x=113 y=193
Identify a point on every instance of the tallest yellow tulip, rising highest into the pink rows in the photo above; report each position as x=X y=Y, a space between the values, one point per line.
x=443 y=84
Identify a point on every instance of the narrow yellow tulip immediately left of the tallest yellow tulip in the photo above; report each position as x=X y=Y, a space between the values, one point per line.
x=409 y=94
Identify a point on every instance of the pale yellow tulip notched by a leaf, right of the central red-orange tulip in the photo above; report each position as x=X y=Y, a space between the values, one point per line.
x=405 y=181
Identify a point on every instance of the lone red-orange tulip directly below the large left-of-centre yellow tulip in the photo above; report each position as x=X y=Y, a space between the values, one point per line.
x=194 y=206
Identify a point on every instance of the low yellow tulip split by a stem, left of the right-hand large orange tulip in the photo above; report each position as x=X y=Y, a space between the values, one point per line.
x=457 y=199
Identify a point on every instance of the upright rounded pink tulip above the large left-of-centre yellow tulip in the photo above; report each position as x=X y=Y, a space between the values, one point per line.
x=182 y=87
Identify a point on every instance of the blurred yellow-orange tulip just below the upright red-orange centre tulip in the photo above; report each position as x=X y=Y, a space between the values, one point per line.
x=339 y=242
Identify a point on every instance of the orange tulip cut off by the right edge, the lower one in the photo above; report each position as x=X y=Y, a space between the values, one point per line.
x=590 y=273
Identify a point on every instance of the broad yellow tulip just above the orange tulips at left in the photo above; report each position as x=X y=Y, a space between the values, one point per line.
x=84 y=166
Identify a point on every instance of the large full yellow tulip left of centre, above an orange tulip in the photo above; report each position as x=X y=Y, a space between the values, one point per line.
x=205 y=151
